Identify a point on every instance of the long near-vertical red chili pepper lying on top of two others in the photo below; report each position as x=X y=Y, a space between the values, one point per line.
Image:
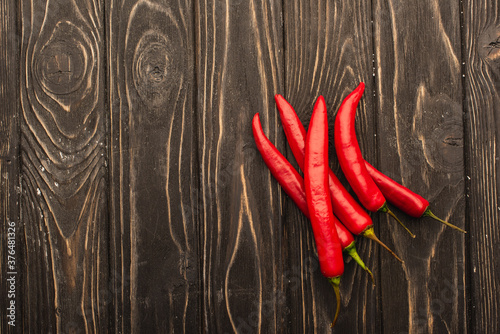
x=318 y=199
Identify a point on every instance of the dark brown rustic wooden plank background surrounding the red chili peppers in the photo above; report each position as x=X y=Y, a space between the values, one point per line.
x=142 y=206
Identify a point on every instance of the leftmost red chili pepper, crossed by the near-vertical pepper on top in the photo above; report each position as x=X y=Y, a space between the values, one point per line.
x=293 y=184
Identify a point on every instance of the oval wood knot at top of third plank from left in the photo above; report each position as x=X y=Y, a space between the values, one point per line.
x=157 y=52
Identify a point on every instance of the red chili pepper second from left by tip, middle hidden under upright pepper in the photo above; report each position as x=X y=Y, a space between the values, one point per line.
x=344 y=206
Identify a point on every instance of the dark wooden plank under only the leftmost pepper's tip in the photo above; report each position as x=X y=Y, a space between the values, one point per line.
x=239 y=69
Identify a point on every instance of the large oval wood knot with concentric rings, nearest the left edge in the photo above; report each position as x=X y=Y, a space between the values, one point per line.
x=64 y=82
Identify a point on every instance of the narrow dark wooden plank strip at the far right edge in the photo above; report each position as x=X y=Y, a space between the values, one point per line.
x=481 y=41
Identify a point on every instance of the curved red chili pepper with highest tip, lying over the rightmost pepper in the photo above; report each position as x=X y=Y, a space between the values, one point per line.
x=350 y=158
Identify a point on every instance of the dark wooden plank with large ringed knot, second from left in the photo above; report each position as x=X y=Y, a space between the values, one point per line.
x=63 y=177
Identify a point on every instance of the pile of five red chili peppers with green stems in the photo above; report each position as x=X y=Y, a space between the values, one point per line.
x=334 y=214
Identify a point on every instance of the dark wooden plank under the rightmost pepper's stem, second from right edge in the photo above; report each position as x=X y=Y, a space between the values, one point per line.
x=420 y=135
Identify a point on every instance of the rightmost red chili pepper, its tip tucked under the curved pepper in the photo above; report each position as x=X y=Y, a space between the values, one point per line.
x=403 y=198
